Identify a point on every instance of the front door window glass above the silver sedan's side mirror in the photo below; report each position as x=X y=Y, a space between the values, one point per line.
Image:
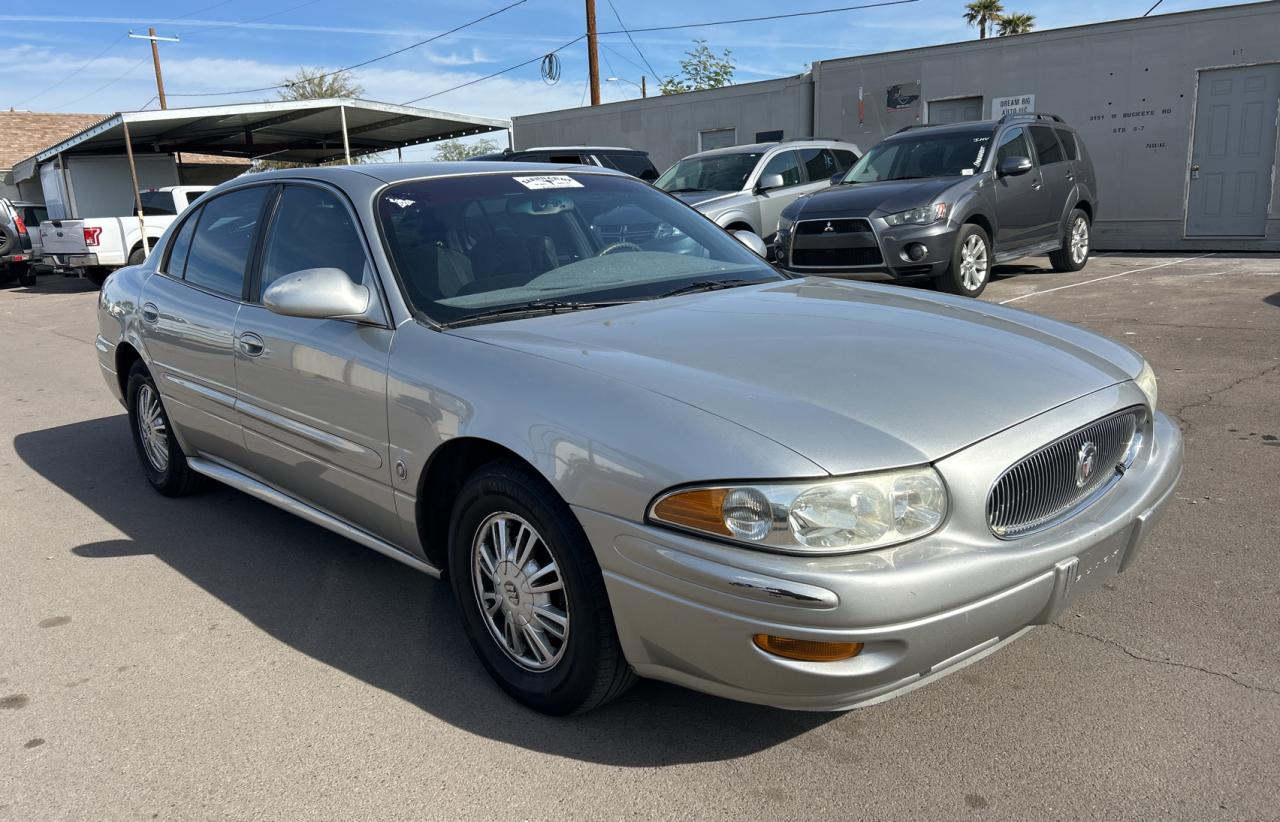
x=313 y=230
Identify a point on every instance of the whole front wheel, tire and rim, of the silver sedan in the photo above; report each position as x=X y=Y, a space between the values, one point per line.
x=532 y=595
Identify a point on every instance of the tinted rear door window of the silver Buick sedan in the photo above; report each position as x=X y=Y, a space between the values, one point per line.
x=223 y=239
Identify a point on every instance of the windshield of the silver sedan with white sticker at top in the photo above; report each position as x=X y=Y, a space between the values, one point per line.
x=478 y=245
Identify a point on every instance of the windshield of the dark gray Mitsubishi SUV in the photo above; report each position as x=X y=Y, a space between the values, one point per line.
x=926 y=156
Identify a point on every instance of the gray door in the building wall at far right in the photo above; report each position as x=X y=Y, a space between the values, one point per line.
x=1233 y=152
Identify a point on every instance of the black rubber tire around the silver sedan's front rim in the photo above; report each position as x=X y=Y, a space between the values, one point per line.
x=591 y=669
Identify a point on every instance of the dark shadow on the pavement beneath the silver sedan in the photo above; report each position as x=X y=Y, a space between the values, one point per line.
x=369 y=616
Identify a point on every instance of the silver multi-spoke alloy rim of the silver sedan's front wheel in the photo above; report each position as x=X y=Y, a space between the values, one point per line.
x=520 y=592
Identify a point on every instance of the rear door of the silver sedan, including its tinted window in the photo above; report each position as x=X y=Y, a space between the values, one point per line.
x=189 y=321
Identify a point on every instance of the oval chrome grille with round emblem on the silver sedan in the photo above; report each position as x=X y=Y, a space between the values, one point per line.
x=1053 y=483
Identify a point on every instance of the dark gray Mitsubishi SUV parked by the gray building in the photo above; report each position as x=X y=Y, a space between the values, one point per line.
x=950 y=202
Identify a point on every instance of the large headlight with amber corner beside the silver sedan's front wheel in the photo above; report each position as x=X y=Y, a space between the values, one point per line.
x=826 y=517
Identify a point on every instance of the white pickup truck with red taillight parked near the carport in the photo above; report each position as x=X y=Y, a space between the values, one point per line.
x=97 y=246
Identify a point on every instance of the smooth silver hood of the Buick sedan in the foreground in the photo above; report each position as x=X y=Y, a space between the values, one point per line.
x=853 y=377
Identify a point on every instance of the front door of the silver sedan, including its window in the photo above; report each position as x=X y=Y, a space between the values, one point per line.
x=313 y=392
